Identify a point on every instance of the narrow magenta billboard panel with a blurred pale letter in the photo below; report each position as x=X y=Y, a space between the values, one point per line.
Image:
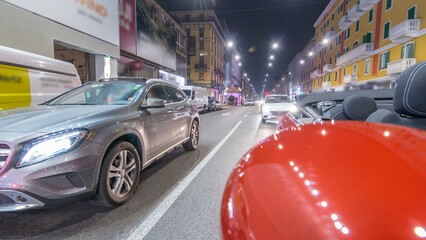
x=127 y=11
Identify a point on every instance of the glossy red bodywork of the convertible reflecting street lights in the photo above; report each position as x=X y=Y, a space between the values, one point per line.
x=347 y=180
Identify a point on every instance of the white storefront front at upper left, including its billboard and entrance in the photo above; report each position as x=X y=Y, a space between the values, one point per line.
x=86 y=35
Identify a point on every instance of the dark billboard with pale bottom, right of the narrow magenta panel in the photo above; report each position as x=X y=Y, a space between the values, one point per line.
x=156 y=36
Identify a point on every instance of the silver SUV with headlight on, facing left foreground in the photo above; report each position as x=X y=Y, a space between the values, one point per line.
x=91 y=142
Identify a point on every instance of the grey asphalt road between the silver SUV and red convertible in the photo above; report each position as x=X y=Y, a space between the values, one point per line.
x=178 y=197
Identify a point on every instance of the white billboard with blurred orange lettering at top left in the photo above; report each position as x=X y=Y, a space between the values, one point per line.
x=97 y=18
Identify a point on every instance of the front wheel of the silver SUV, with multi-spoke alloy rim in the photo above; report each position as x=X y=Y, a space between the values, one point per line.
x=119 y=176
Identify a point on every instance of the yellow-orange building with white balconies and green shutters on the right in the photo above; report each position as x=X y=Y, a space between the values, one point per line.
x=367 y=42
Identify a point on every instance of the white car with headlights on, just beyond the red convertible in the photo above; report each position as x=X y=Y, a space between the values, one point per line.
x=276 y=106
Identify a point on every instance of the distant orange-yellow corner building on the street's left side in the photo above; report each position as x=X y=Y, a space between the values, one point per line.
x=206 y=48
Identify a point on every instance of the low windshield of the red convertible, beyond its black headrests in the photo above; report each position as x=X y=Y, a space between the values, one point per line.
x=379 y=94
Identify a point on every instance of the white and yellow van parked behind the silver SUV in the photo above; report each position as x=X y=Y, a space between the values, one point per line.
x=28 y=79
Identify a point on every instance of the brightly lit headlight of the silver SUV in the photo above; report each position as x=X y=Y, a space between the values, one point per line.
x=51 y=145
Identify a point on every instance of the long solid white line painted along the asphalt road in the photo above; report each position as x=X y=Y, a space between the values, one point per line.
x=146 y=225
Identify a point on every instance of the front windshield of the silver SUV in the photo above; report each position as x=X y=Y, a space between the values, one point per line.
x=100 y=93
